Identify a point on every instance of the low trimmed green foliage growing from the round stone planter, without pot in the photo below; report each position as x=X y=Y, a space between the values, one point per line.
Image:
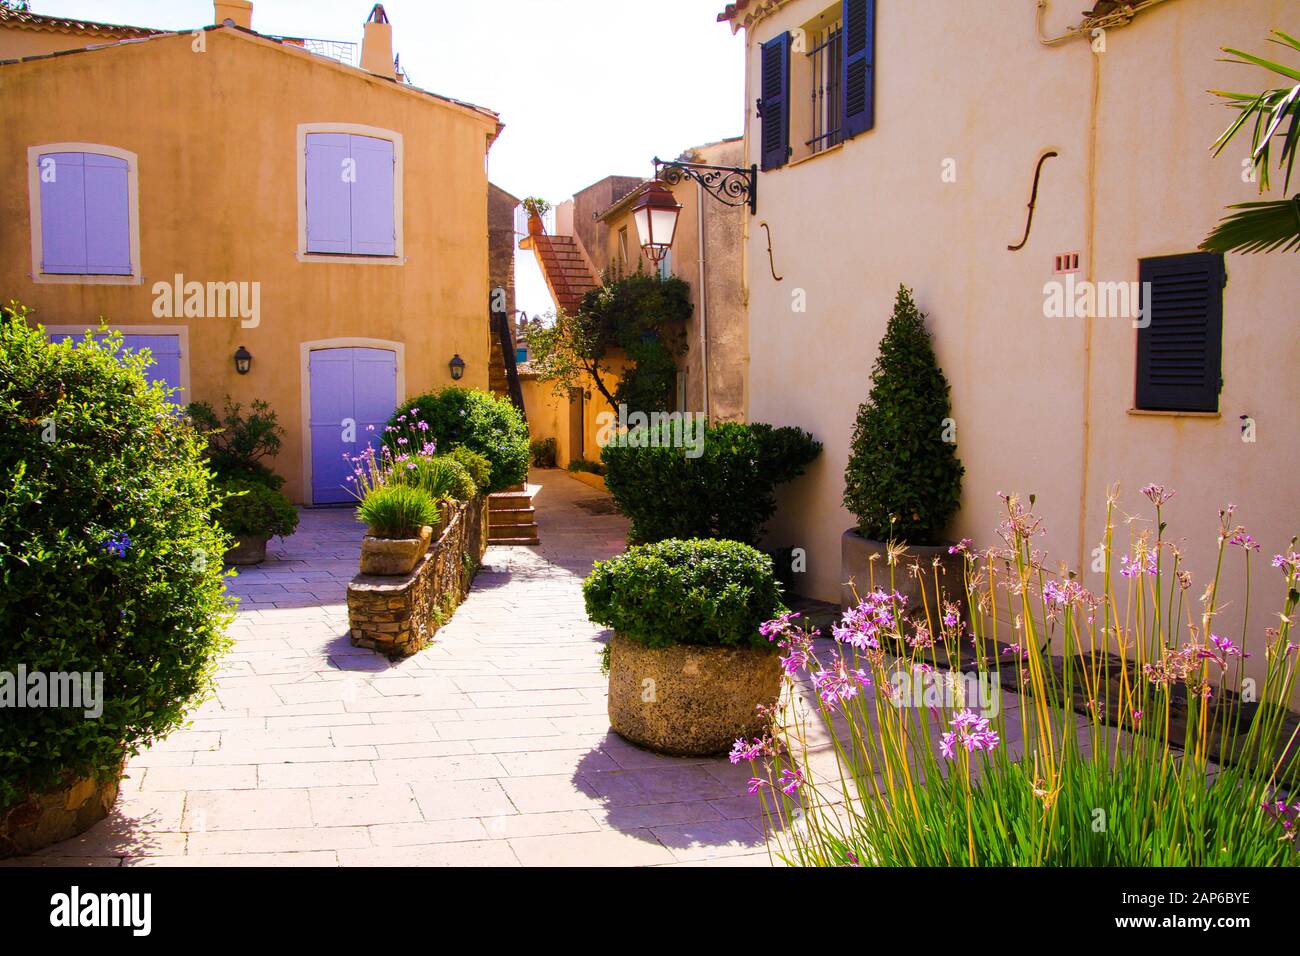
x=701 y=592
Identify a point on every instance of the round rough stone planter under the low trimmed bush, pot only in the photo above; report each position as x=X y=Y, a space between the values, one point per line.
x=687 y=700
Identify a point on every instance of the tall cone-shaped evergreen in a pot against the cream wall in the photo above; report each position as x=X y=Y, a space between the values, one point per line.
x=904 y=479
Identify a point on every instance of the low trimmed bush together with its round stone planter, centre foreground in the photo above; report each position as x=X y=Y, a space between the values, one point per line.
x=690 y=672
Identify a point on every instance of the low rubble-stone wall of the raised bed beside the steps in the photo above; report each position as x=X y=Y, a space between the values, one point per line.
x=400 y=615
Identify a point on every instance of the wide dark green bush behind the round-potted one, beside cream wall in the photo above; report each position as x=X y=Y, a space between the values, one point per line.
x=729 y=492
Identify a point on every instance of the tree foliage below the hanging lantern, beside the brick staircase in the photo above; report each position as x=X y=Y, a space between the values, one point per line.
x=640 y=317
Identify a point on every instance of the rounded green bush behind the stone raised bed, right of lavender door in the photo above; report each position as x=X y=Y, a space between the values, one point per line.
x=478 y=421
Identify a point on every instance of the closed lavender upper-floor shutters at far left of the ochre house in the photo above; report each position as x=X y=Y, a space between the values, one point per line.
x=85 y=214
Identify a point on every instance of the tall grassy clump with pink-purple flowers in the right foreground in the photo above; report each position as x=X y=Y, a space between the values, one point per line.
x=1146 y=750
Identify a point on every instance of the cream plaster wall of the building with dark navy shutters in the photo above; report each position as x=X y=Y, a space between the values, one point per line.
x=1038 y=409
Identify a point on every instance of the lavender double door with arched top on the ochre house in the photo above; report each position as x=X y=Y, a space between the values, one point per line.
x=352 y=390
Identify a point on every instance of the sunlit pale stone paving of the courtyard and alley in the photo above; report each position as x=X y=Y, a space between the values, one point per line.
x=492 y=747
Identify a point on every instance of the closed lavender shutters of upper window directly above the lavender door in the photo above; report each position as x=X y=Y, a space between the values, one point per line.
x=352 y=194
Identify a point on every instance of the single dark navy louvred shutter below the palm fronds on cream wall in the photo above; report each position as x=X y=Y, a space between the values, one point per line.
x=1181 y=349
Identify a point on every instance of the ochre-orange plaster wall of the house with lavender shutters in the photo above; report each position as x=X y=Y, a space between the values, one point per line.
x=216 y=140
